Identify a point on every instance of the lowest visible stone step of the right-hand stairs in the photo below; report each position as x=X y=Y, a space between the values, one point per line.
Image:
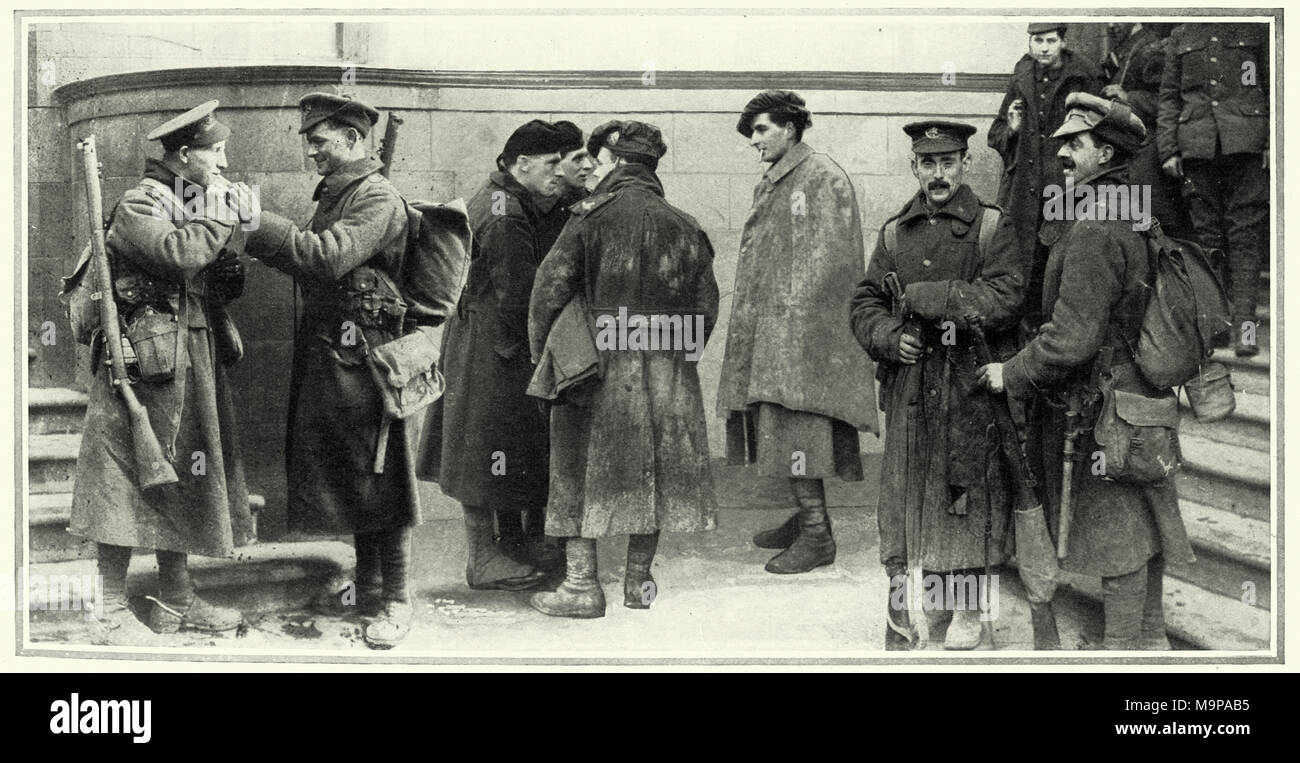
x=1202 y=618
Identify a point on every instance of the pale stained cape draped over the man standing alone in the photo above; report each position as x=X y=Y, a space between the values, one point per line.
x=800 y=255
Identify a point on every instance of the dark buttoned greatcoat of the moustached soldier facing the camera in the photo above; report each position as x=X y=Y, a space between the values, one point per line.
x=939 y=452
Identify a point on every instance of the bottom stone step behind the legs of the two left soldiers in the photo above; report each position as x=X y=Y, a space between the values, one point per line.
x=263 y=578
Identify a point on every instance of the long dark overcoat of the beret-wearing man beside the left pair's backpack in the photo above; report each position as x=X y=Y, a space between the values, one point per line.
x=488 y=441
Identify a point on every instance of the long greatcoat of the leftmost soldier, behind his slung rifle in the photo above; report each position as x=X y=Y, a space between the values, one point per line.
x=207 y=513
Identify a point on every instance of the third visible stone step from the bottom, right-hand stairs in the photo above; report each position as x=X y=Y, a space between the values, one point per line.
x=1225 y=476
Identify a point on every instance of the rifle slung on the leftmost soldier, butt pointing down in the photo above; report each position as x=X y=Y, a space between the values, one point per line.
x=151 y=467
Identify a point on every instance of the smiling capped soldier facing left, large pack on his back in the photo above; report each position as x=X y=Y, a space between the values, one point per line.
x=341 y=263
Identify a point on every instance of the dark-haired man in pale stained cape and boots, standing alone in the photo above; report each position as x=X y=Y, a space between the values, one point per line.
x=796 y=389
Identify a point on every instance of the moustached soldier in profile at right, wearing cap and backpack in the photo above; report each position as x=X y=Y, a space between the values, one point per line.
x=1095 y=296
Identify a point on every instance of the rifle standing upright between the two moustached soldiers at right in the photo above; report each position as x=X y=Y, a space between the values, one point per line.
x=1034 y=549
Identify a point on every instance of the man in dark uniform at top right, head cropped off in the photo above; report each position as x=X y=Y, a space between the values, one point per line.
x=1214 y=131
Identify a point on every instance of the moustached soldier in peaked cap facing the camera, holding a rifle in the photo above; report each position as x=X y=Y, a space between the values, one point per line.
x=941 y=262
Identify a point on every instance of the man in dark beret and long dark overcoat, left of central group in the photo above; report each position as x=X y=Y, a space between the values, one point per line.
x=488 y=444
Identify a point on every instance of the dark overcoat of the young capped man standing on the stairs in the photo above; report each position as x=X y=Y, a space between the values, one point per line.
x=1030 y=155
